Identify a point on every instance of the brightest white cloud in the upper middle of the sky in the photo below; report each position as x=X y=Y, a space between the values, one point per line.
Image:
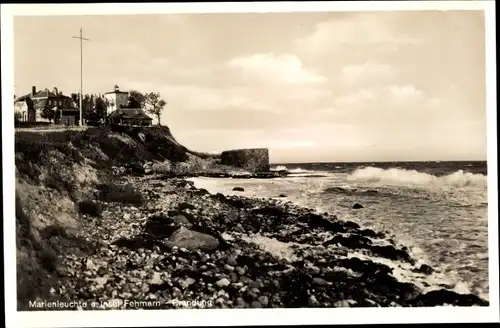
x=269 y=68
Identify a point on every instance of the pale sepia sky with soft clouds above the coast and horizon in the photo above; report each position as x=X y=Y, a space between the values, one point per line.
x=311 y=87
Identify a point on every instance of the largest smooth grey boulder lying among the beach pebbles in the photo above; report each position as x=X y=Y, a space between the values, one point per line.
x=185 y=238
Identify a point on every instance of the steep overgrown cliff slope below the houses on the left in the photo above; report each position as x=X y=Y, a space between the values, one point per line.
x=57 y=171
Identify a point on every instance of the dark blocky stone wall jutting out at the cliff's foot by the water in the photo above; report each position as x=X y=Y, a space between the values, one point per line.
x=253 y=160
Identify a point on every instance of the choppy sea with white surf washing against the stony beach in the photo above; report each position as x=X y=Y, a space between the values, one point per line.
x=437 y=209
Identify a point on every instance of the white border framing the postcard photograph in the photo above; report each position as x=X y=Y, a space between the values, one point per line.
x=253 y=316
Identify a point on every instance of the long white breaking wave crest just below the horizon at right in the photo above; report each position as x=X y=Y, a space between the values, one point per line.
x=413 y=177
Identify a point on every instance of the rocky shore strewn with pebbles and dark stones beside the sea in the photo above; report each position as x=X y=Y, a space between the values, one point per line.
x=169 y=242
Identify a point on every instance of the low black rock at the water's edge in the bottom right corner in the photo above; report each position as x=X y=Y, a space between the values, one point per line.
x=442 y=296
